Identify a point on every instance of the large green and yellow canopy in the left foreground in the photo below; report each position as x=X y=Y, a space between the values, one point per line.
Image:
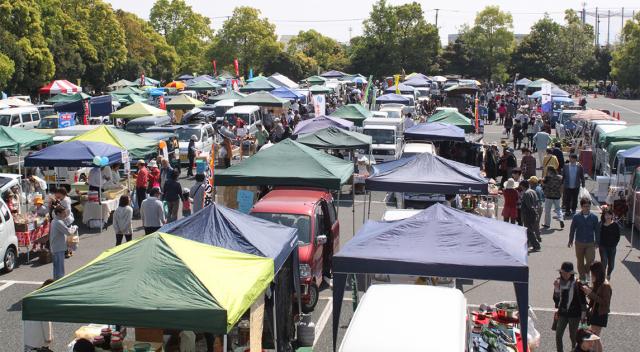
x=157 y=281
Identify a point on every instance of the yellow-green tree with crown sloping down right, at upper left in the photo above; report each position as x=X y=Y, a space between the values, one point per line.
x=147 y=51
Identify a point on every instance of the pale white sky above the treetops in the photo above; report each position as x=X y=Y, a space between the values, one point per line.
x=341 y=19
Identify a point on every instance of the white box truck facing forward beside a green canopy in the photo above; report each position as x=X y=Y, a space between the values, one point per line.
x=387 y=137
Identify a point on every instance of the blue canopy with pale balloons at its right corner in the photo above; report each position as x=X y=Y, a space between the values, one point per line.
x=73 y=154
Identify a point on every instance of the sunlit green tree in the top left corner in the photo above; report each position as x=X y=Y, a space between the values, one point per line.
x=22 y=42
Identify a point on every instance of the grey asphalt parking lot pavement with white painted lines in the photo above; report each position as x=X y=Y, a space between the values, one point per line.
x=624 y=322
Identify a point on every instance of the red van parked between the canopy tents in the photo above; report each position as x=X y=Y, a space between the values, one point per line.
x=313 y=213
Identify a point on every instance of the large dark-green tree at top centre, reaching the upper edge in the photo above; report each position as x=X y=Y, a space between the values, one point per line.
x=395 y=38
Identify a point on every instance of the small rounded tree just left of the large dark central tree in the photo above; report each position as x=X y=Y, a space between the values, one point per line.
x=326 y=52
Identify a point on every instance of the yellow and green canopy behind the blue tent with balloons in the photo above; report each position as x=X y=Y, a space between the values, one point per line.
x=138 y=147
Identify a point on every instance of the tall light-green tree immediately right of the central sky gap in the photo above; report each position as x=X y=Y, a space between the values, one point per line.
x=490 y=42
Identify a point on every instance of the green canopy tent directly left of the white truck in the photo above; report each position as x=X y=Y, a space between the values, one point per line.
x=335 y=138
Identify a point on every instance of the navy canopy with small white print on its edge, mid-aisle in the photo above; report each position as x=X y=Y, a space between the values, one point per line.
x=427 y=173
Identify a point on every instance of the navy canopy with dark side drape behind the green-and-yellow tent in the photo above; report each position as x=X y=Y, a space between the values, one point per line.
x=220 y=226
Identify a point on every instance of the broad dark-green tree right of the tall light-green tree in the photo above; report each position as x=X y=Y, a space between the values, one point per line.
x=554 y=51
